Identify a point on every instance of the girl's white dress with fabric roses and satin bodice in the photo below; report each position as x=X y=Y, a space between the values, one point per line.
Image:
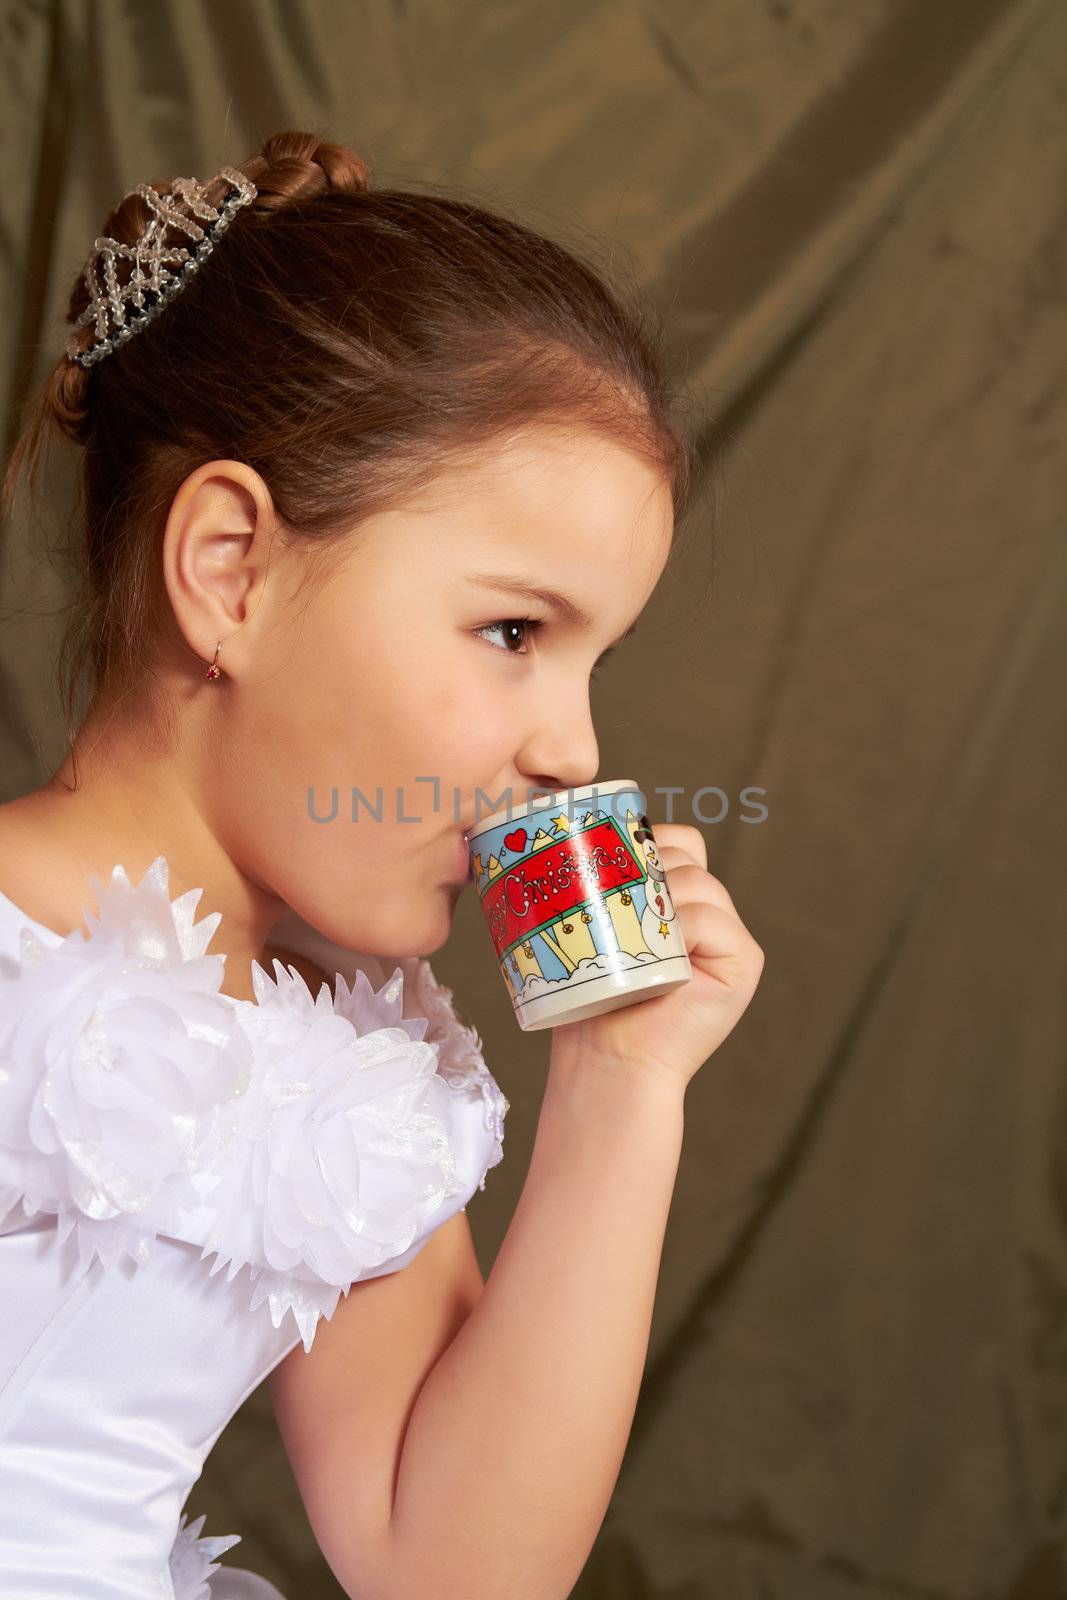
x=188 y=1183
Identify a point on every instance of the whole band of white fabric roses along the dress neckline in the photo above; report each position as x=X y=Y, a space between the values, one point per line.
x=310 y=1138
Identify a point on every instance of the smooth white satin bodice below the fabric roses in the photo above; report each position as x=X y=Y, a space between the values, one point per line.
x=114 y=1390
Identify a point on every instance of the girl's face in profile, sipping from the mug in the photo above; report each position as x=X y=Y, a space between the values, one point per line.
x=378 y=708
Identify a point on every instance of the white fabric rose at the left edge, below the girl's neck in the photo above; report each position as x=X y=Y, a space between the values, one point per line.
x=121 y=1070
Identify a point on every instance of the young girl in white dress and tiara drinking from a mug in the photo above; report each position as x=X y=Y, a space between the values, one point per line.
x=372 y=484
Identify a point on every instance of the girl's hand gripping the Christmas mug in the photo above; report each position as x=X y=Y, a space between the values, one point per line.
x=674 y=1034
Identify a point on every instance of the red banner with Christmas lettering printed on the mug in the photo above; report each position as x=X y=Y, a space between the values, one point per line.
x=557 y=879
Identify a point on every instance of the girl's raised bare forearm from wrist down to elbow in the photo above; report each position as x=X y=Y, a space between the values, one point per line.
x=516 y=1442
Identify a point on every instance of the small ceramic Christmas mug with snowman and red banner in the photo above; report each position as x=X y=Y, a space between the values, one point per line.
x=577 y=903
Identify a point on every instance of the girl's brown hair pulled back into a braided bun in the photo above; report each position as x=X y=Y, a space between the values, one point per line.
x=346 y=343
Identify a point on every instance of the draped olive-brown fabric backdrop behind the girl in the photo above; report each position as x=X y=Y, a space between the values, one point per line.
x=855 y=218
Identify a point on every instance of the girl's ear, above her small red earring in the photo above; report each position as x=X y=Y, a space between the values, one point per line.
x=215 y=556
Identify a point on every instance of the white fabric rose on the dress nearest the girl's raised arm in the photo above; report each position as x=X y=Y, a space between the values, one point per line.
x=346 y=1148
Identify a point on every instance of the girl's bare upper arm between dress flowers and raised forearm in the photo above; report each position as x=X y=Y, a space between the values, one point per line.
x=343 y=1407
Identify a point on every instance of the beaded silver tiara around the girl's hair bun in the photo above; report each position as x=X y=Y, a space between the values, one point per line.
x=121 y=311
